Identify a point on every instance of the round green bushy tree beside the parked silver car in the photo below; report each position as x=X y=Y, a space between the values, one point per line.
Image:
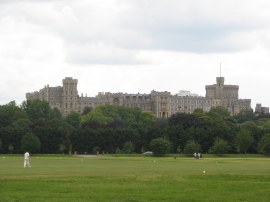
x=160 y=146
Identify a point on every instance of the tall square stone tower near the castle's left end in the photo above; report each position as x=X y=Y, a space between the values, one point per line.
x=70 y=95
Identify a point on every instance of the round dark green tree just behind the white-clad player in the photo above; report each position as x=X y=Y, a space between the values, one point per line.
x=30 y=142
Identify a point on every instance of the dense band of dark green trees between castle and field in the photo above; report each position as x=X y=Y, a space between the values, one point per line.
x=36 y=127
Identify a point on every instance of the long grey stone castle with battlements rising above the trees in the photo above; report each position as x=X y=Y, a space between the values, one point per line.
x=161 y=104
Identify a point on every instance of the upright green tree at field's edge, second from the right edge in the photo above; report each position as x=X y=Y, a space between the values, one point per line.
x=244 y=140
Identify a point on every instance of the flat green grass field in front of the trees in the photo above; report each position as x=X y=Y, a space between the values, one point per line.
x=63 y=178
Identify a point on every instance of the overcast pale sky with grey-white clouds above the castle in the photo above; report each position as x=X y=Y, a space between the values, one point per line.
x=134 y=46
